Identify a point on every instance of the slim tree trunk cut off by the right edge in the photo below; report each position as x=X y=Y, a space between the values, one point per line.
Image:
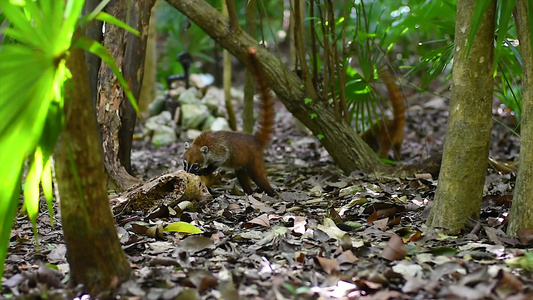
x=521 y=215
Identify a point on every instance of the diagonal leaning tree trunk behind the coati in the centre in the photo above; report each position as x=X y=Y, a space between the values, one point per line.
x=340 y=140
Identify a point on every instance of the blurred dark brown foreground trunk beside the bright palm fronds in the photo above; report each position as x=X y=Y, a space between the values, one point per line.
x=94 y=253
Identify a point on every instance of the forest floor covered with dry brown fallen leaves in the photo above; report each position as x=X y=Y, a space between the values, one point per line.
x=328 y=235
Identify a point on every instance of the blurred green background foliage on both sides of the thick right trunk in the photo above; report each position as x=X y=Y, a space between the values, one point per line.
x=413 y=35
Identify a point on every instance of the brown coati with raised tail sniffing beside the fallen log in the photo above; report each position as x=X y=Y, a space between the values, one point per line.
x=240 y=151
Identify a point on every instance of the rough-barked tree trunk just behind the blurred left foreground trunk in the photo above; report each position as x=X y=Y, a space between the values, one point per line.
x=116 y=115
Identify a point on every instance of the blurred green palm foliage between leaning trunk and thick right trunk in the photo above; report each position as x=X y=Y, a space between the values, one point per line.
x=386 y=34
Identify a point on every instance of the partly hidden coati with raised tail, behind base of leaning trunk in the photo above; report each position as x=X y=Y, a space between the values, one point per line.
x=387 y=134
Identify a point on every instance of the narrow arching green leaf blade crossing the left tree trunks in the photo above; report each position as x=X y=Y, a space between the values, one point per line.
x=96 y=48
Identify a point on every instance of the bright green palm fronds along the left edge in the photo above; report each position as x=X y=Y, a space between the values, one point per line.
x=33 y=73
